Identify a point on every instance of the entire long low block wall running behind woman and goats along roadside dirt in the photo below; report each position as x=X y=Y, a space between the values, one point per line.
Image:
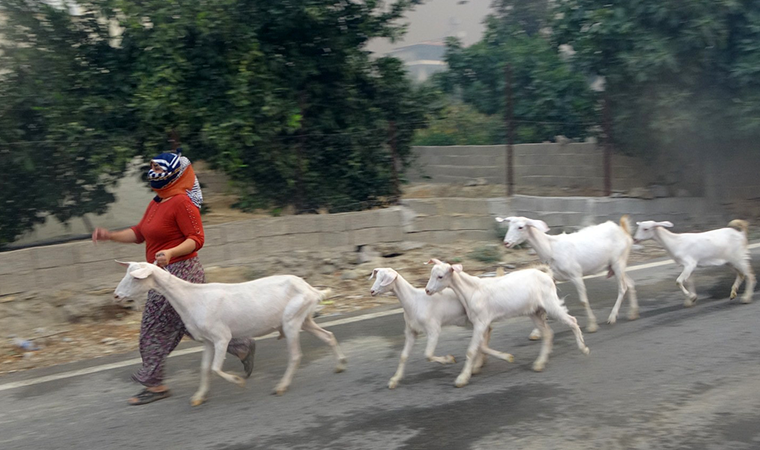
x=83 y=264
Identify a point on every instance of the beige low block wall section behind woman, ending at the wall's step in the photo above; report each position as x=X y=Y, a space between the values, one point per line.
x=83 y=263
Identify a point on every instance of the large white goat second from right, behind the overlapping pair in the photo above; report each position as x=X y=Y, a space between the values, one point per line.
x=586 y=252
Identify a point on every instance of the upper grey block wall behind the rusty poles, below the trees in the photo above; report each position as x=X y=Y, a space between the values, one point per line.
x=560 y=165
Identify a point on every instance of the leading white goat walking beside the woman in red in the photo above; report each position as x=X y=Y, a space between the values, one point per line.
x=214 y=313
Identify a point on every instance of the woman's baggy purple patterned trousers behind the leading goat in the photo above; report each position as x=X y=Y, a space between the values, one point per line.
x=162 y=329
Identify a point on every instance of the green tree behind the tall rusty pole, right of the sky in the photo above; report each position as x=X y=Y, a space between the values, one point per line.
x=549 y=98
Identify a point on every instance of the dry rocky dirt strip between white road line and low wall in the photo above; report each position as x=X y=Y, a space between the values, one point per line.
x=116 y=330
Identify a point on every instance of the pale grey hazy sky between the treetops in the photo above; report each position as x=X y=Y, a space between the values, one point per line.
x=433 y=20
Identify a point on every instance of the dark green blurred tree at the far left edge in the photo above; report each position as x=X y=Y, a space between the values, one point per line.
x=64 y=134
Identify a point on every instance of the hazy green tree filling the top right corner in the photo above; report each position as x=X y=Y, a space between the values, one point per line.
x=677 y=74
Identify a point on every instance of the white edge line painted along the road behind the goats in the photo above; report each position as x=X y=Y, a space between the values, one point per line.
x=188 y=351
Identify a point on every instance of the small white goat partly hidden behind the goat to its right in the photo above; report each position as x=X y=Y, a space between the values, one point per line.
x=422 y=314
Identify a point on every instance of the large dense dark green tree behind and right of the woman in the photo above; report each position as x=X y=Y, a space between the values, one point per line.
x=281 y=95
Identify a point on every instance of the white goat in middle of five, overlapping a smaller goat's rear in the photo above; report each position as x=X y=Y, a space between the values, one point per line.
x=521 y=293
